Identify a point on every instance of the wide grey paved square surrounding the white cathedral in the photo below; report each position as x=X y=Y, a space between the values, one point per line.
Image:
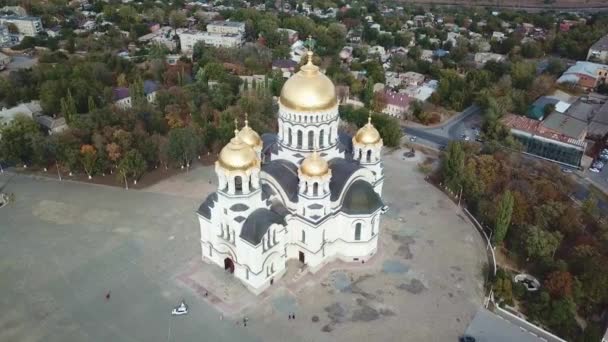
x=64 y=245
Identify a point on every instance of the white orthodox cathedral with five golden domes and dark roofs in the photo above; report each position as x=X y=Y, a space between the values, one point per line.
x=307 y=193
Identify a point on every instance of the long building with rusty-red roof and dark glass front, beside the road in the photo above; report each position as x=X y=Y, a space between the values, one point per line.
x=544 y=142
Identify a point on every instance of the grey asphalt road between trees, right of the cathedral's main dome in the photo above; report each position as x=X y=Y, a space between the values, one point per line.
x=453 y=129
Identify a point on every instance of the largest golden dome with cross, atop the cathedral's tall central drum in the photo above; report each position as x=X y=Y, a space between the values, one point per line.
x=308 y=90
